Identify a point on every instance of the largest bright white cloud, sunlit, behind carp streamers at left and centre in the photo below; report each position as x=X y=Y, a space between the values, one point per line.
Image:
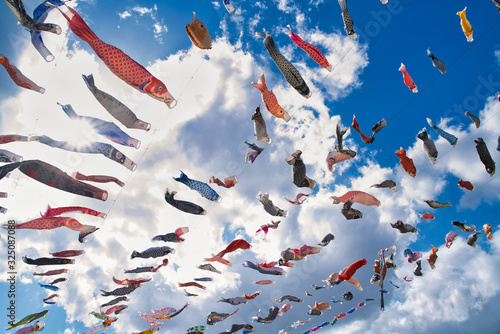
x=188 y=145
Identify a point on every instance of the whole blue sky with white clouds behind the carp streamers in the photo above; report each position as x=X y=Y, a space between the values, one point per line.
x=204 y=136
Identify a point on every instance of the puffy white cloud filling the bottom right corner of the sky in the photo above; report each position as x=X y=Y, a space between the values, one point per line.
x=455 y=294
